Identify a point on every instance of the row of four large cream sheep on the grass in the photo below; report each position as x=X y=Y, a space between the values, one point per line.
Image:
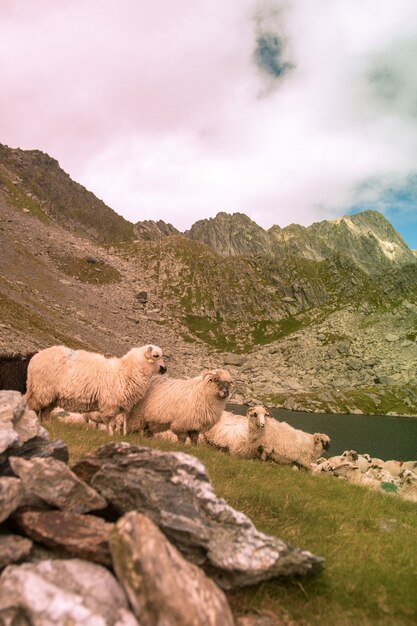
x=126 y=394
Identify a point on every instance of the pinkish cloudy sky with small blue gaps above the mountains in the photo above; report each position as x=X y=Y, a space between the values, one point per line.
x=290 y=111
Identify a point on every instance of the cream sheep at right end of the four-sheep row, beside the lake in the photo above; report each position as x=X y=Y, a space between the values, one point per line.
x=287 y=445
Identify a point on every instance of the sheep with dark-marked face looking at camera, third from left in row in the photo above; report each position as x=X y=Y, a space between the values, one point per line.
x=240 y=435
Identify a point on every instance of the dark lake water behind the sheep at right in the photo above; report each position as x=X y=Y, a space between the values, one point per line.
x=382 y=436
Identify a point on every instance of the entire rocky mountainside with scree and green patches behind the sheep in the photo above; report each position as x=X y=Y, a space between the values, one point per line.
x=317 y=318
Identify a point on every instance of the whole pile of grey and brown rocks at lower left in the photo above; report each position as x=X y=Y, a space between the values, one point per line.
x=127 y=536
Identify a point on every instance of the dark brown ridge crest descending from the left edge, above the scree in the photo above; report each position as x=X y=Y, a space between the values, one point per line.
x=35 y=182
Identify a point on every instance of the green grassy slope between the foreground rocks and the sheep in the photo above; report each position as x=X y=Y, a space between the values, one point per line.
x=369 y=539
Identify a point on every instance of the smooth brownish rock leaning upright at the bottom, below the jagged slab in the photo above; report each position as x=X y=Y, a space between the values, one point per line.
x=162 y=587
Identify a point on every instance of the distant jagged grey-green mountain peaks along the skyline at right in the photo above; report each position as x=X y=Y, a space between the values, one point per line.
x=367 y=239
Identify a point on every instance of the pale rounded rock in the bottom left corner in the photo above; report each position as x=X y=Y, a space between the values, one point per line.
x=69 y=591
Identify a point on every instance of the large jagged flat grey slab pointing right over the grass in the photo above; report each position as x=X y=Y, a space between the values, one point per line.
x=173 y=490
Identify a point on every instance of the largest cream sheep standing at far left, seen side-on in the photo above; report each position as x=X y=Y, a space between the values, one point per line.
x=76 y=380
